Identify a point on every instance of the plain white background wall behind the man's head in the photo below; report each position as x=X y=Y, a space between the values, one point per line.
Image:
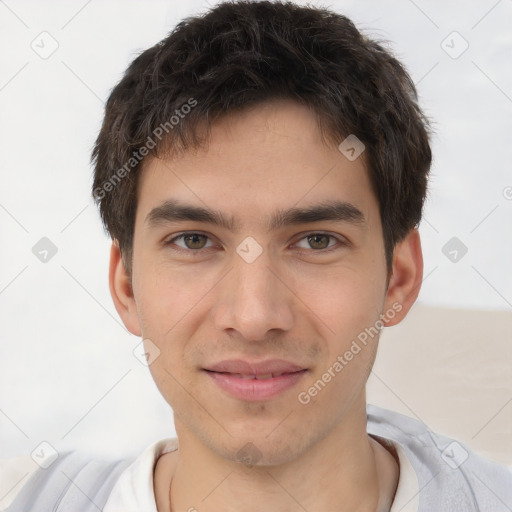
x=67 y=372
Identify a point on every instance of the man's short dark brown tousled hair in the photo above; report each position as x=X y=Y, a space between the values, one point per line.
x=242 y=53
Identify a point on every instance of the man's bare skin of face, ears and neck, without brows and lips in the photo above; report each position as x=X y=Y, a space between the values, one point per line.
x=296 y=302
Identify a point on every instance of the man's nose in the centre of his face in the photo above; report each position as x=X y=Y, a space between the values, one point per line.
x=254 y=300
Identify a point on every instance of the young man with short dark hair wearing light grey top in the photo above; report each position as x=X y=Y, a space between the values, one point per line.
x=262 y=173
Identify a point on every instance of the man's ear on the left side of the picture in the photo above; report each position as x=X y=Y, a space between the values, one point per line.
x=122 y=292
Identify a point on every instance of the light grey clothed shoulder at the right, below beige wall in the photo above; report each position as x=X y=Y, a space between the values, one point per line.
x=450 y=475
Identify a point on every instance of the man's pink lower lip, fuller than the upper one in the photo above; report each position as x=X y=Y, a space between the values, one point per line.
x=255 y=389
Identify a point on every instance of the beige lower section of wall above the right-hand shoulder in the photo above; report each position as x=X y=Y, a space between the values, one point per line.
x=453 y=370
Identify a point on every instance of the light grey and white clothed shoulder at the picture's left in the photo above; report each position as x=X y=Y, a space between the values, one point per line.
x=73 y=480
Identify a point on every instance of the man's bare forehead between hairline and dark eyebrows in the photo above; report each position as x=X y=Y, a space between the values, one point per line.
x=270 y=157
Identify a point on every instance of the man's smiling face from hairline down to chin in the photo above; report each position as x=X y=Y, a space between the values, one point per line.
x=280 y=278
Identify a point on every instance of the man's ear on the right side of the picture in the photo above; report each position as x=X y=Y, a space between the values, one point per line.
x=406 y=277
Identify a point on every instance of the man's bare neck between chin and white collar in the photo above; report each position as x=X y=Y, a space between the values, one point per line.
x=345 y=471
